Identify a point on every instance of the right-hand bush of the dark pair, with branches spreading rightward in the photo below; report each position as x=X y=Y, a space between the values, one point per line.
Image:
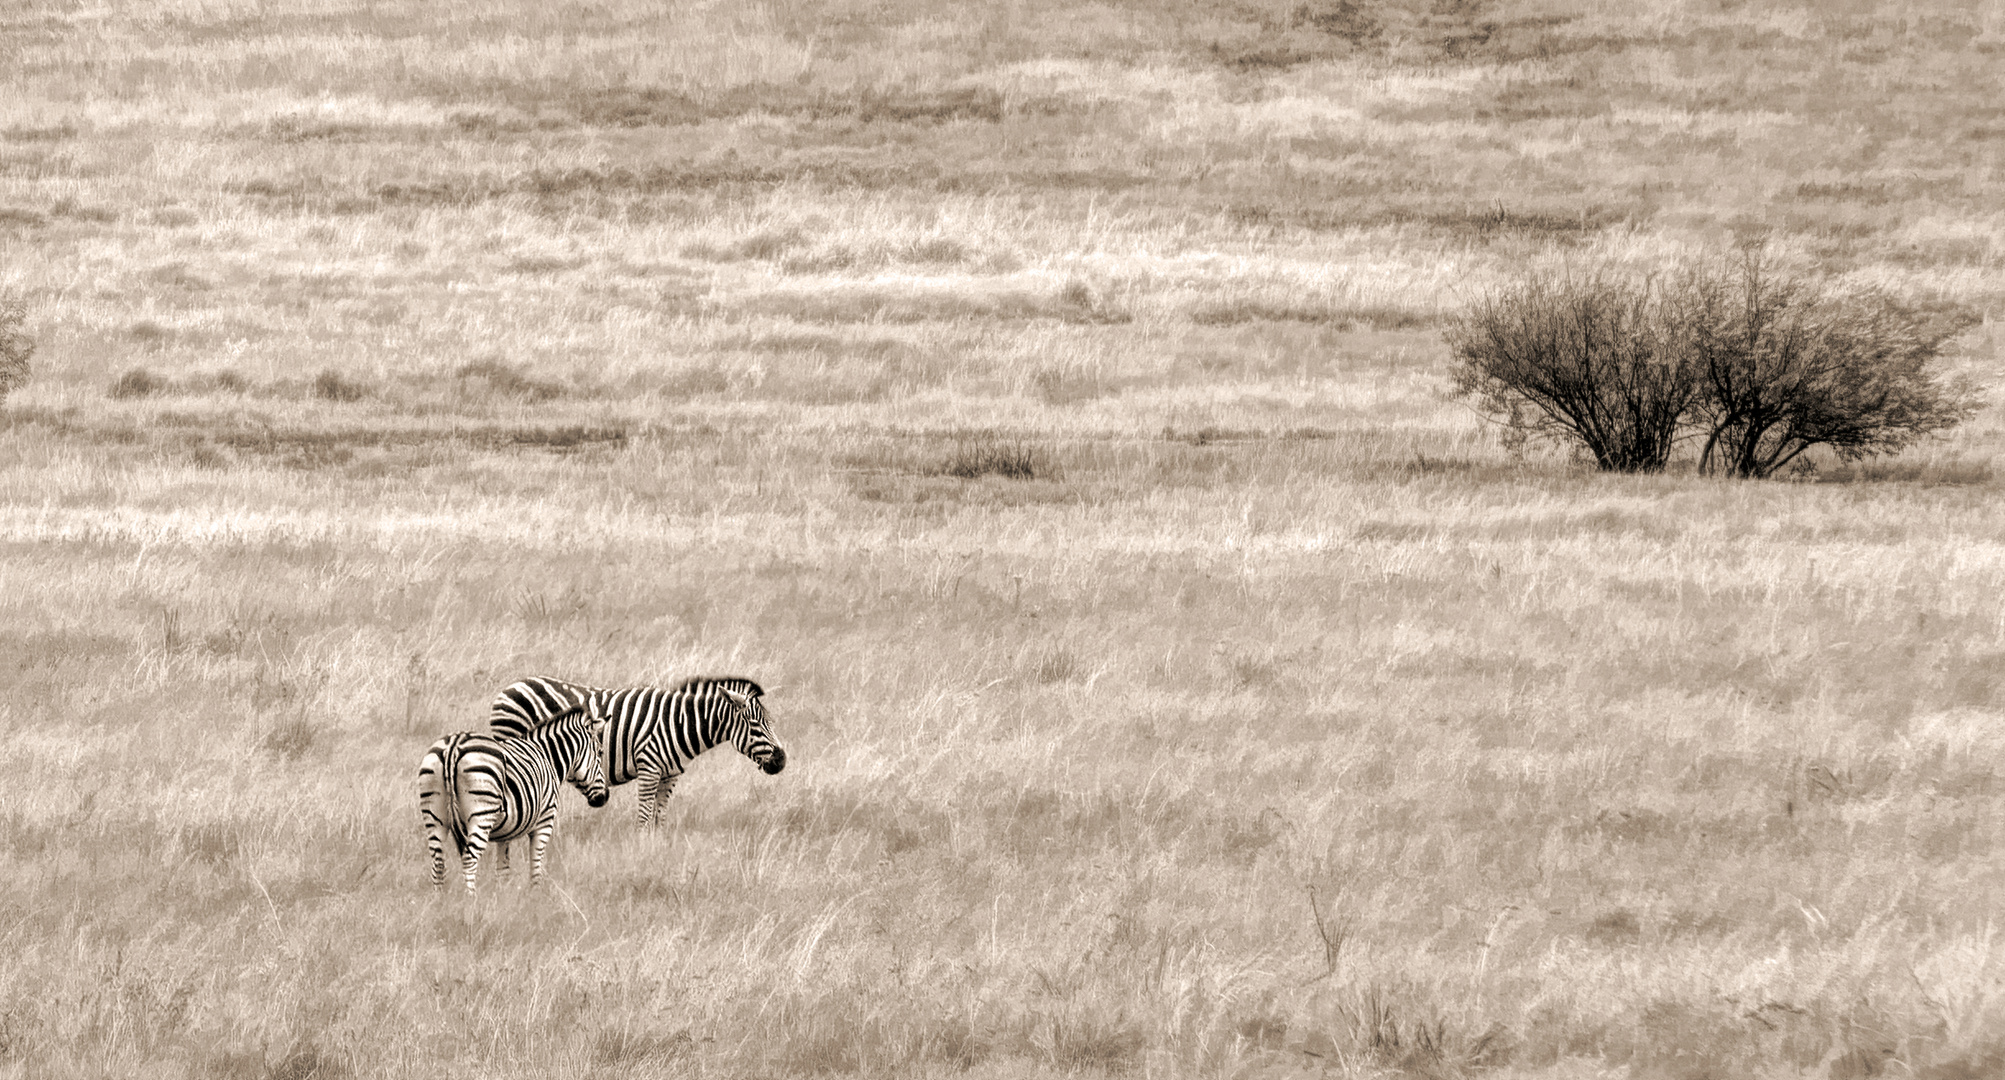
x=1787 y=368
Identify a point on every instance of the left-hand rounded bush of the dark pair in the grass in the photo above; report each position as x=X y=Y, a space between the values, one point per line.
x=1581 y=356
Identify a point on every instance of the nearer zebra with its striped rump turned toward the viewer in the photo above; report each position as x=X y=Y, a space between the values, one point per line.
x=476 y=788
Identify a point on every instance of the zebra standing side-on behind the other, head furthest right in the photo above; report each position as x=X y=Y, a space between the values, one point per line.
x=651 y=732
